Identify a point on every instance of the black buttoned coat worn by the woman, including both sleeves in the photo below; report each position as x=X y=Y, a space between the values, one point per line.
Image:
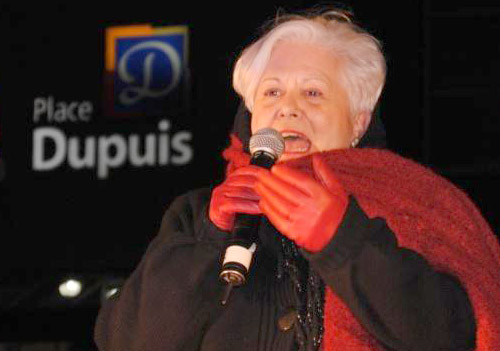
x=172 y=300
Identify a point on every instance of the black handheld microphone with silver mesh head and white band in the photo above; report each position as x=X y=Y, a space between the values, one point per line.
x=266 y=147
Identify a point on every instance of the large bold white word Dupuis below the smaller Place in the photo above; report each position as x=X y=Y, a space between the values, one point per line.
x=52 y=147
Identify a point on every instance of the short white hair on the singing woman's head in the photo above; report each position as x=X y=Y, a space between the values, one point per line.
x=363 y=67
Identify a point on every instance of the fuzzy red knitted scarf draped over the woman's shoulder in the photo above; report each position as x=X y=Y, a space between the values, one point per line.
x=429 y=215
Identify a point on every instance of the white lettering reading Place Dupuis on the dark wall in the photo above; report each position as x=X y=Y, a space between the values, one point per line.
x=55 y=148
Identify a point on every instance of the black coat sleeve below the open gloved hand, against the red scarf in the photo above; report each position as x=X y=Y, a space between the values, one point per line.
x=393 y=291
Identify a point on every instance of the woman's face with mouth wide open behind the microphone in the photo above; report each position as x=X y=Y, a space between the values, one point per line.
x=300 y=96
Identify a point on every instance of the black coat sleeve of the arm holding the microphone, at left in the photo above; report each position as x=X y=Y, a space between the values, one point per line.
x=160 y=306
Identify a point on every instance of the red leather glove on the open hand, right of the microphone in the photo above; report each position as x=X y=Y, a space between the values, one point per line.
x=301 y=208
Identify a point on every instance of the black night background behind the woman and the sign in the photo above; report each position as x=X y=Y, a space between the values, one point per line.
x=440 y=107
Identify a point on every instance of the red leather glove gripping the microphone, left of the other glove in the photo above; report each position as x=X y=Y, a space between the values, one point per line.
x=235 y=195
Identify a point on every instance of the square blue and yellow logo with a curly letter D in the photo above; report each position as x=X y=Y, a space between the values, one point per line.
x=145 y=69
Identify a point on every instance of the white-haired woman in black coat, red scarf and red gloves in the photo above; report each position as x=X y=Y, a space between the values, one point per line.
x=359 y=249
